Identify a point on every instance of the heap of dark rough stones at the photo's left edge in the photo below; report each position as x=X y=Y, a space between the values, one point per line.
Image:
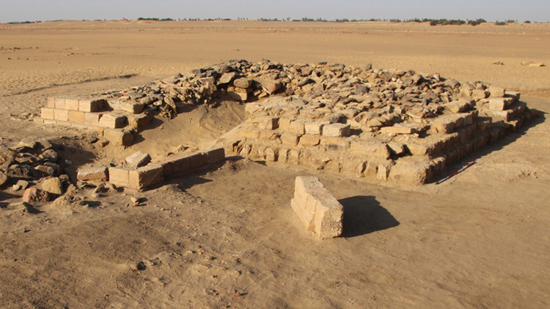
x=34 y=168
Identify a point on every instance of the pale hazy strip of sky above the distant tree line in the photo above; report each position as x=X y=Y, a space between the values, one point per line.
x=21 y=10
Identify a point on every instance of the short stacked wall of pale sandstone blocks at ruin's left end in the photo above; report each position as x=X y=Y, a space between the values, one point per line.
x=95 y=114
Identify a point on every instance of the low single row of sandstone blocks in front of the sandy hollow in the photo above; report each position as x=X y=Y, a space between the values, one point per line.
x=139 y=174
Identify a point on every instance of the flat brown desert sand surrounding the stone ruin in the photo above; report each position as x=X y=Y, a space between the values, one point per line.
x=227 y=237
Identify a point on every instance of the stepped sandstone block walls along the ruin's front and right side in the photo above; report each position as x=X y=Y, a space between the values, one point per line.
x=412 y=151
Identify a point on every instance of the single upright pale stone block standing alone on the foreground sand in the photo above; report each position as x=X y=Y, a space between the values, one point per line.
x=317 y=208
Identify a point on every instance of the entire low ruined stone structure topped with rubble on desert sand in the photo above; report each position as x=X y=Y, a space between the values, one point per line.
x=370 y=124
